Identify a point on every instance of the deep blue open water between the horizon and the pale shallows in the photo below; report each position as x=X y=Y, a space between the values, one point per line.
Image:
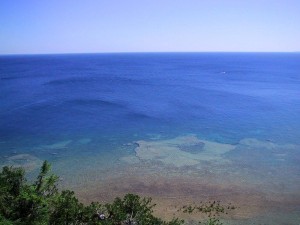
x=222 y=96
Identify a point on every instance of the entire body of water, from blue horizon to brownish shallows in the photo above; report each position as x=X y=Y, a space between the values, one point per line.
x=180 y=127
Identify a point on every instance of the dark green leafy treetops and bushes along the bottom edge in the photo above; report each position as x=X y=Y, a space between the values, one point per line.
x=42 y=203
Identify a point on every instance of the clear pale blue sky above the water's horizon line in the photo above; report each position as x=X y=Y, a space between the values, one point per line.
x=75 y=26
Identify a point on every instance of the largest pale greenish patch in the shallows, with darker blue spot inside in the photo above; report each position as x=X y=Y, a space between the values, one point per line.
x=180 y=151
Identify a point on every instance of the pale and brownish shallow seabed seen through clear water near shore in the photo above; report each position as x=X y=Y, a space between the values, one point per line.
x=187 y=170
